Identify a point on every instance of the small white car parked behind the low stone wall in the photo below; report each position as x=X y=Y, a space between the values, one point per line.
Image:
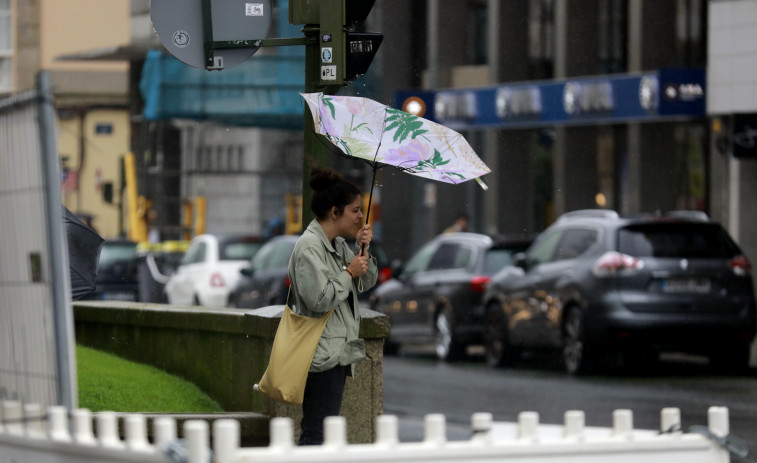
x=210 y=268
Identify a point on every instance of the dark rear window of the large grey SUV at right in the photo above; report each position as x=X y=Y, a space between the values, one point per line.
x=676 y=240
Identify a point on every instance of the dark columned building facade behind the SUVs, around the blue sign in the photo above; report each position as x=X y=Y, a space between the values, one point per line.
x=542 y=169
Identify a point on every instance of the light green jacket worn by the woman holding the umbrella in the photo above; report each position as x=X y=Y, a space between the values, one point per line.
x=318 y=284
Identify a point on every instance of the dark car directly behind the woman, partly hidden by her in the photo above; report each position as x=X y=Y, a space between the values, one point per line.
x=266 y=281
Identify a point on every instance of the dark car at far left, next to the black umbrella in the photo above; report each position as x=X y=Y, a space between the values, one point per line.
x=116 y=272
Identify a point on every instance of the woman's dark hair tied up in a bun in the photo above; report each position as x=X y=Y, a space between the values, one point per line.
x=330 y=189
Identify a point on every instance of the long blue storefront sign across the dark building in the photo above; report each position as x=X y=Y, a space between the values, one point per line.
x=614 y=98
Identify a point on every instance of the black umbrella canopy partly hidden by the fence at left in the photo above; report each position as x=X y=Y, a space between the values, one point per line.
x=84 y=246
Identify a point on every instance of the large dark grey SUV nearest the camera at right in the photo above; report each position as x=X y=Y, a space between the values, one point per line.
x=596 y=286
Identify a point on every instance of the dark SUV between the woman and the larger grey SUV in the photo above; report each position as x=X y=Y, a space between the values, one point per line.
x=437 y=297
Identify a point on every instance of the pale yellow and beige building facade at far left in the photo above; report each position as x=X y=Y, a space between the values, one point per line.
x=91 y=98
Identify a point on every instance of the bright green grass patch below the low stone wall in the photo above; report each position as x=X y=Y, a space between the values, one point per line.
x=110 y=383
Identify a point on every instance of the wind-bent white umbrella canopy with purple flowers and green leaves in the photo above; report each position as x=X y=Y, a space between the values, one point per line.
x=366 y=129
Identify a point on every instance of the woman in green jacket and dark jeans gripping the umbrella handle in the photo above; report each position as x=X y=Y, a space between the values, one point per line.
x=324 y=274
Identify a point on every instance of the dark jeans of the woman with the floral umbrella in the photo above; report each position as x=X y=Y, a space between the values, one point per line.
x=323 y=397
